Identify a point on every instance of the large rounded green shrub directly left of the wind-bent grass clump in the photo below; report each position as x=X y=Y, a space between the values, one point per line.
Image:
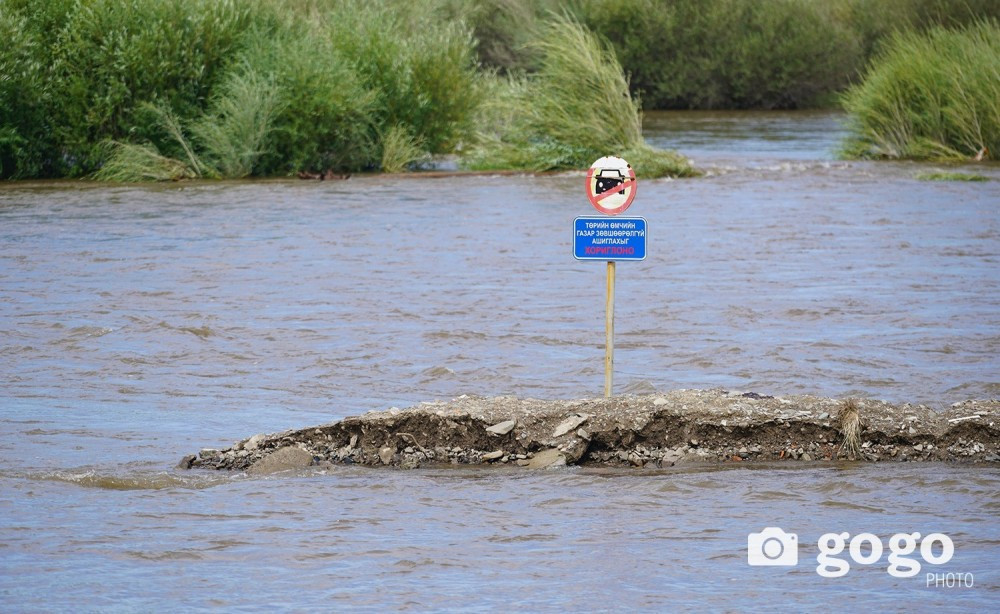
x=363 y=85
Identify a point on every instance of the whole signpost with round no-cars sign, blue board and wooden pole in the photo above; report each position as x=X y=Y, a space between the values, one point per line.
x=611 y=187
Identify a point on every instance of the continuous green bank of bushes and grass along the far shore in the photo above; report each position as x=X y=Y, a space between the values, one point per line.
x=155 y=90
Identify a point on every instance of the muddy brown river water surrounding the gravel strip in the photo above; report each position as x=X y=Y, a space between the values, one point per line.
x=139 y=323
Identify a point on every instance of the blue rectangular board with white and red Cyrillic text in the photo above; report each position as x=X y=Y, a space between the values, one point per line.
x=609 y=238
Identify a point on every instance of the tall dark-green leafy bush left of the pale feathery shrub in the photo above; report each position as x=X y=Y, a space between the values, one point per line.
x=114 y=55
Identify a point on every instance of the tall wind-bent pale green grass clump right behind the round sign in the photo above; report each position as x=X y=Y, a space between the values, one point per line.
x=573 y=110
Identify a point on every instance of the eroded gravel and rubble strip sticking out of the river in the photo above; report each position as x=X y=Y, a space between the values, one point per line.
x=658 y=430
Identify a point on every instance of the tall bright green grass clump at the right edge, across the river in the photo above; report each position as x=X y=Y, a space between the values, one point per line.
x=930 y=96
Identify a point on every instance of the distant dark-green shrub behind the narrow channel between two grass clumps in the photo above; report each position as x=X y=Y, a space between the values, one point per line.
x=728 y=53
